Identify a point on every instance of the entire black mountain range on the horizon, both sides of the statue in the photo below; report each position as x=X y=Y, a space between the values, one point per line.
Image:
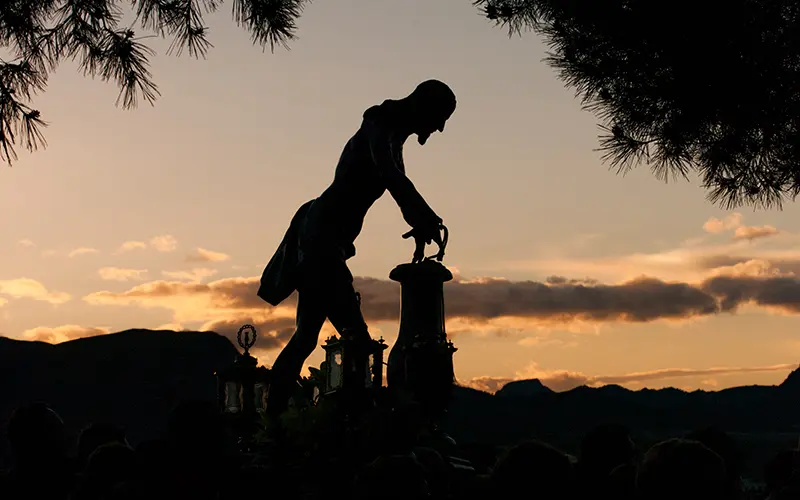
x=135 y=377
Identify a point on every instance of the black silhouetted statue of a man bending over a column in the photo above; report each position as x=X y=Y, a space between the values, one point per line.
x=312 y=256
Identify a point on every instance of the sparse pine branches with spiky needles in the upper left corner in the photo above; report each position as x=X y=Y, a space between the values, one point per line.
x=39 y=34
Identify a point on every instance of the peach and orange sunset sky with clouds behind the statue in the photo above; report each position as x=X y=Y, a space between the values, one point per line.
x=164 y=217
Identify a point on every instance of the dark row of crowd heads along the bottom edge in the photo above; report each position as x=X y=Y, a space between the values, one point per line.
x=196 y=459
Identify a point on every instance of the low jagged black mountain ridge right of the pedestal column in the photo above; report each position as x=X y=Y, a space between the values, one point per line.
x=526 y=408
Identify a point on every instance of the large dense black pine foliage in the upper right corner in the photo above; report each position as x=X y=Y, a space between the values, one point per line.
x=708 y=86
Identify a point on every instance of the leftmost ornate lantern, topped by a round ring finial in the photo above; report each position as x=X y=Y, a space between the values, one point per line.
x=243 y=387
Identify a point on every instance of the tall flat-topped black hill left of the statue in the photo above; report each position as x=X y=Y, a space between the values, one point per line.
x=133 y=378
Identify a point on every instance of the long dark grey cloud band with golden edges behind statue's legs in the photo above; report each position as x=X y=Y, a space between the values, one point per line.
x=225 y=304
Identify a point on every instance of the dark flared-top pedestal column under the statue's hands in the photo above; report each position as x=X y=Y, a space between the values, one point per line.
x=421 y=361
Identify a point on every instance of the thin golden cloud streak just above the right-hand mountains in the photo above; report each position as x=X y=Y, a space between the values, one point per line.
x=564 y=380
